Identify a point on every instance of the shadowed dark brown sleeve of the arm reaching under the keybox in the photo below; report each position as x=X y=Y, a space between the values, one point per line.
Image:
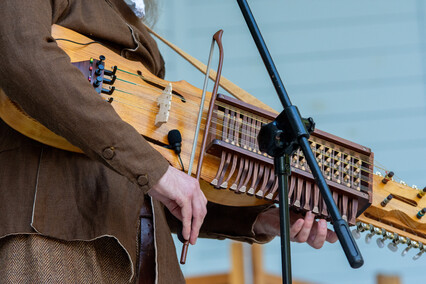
x=229 y=222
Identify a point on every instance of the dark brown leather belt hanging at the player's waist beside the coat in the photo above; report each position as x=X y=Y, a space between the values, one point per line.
x=147 y=248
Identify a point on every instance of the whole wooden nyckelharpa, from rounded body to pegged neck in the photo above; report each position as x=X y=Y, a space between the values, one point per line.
x=138 y=106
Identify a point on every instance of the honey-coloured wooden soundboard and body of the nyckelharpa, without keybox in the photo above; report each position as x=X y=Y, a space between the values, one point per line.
x=138 y=109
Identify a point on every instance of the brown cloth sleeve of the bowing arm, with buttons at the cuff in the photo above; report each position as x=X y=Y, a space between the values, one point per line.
x=38 y=75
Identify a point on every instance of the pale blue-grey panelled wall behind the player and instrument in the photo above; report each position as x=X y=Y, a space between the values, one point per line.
x=357 y=67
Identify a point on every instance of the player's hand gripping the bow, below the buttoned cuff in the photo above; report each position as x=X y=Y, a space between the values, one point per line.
x=182 y=195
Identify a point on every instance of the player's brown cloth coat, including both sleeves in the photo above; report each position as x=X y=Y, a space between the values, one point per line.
x=73 y=196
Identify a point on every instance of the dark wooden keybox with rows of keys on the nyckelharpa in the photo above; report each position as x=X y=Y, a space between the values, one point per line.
x=244 y=169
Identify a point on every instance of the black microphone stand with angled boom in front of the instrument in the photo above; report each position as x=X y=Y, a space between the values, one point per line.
x=280 y=139
